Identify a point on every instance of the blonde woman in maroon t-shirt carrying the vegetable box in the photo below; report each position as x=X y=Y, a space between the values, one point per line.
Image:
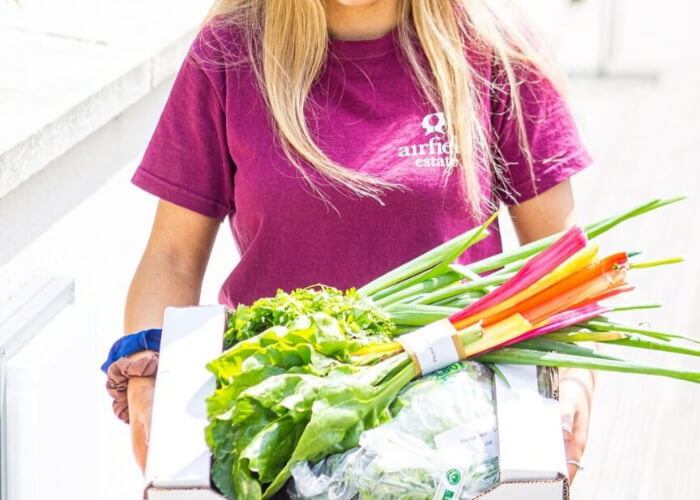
x=342 y=138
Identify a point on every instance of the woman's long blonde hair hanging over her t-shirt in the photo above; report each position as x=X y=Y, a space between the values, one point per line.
x=286 y=43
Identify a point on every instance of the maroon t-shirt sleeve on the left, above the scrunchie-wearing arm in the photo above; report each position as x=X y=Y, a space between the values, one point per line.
x=187 y=161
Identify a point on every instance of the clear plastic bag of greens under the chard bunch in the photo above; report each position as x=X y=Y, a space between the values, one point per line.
x=443 y=432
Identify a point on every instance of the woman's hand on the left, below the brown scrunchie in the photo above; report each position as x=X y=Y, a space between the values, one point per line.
x=140 y=397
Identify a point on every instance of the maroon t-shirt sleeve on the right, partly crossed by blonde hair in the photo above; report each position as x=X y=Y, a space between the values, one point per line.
x=555 y=147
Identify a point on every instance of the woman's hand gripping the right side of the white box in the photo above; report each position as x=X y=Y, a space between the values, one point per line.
x=575 y=399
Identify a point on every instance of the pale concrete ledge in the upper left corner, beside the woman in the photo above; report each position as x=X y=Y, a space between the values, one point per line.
x=62 y=82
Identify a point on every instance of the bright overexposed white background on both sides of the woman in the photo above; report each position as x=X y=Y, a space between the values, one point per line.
x=82 y=84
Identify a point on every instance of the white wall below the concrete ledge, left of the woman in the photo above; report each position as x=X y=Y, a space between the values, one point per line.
x=80 y=218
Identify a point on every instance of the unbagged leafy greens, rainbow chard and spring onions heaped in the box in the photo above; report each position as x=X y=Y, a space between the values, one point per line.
x=306 y=374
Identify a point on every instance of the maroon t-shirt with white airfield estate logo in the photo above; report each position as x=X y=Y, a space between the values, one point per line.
x=214 y=151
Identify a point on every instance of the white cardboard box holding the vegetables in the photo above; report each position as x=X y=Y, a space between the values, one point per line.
x=531 y=449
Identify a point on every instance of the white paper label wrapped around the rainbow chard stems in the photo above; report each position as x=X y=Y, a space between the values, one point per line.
x=432 y=346
